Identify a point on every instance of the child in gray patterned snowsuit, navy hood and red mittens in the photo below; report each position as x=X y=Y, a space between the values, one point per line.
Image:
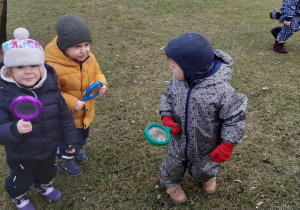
x=210 y=112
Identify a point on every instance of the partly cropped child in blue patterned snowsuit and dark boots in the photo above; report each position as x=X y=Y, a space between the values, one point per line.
x=290 y=16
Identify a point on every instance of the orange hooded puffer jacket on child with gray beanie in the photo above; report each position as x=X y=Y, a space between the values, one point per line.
x=74 y=79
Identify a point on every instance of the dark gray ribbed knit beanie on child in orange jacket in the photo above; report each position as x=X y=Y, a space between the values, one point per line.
x=71 y=30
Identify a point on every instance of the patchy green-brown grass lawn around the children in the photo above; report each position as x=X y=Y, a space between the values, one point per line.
x=123 y=168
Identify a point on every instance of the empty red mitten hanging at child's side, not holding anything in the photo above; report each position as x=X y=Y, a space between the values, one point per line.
x=222 y=153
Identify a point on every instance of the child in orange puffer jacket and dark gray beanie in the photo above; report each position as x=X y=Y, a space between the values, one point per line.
x=76 y=68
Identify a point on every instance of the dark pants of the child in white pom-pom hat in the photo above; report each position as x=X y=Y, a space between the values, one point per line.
x=27 y=172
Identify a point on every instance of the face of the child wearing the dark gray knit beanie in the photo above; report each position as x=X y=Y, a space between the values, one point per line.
x=79 y=52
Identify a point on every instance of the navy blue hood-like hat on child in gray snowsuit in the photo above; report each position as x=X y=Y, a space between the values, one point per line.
x=193 y=53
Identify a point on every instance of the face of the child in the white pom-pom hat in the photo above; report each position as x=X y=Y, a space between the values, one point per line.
x=26 y=75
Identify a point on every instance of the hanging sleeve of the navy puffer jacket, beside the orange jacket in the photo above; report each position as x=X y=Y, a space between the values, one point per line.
x=68 y=129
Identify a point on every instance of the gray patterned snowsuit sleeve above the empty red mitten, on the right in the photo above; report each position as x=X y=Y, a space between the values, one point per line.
x=233 y=115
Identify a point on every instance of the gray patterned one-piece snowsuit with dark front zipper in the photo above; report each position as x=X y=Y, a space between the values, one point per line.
x=210 y=112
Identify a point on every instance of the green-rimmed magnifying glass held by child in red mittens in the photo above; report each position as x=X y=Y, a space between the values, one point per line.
x=158 y=134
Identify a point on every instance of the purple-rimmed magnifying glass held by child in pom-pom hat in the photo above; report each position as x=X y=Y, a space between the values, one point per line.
x=26 y=107
